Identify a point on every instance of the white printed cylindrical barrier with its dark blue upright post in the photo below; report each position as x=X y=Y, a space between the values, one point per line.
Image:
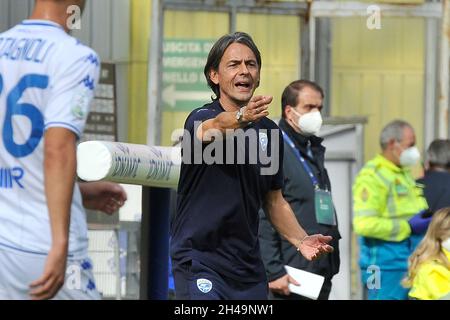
x=154 y=167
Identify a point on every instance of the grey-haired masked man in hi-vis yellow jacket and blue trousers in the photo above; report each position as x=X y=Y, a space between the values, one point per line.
x=389 y=213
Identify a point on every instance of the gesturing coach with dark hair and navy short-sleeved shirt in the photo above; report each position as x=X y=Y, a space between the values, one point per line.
x=214 y=246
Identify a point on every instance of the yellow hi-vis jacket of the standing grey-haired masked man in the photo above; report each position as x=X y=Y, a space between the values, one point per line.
x=385 y=197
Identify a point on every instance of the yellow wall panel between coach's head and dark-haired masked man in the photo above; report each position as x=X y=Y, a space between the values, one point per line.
x=278 y=39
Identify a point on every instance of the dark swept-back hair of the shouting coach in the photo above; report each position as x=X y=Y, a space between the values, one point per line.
x=218 y=49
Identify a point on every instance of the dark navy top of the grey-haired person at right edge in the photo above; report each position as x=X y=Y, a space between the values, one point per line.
x=437 y=189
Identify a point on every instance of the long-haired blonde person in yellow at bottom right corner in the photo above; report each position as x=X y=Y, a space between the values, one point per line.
x=429 y=266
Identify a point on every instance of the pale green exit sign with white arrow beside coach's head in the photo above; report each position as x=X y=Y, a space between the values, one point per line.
x=184 y=84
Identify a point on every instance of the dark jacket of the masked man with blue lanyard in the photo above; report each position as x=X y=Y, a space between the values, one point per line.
x=299 y=192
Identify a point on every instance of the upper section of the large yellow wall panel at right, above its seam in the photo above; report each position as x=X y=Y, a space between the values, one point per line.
x=398 y=45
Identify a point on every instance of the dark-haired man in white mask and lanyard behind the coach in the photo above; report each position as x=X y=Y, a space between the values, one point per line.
x=305 y=182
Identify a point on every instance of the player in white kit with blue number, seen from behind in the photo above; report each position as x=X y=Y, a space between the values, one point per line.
x=47 y=81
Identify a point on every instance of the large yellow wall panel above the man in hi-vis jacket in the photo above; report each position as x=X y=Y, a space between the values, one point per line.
x=379 y=74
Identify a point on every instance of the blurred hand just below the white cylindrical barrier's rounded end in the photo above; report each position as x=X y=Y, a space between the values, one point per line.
x=104 y=196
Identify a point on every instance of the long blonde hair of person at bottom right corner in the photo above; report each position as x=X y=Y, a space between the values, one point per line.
x=430 y=247
